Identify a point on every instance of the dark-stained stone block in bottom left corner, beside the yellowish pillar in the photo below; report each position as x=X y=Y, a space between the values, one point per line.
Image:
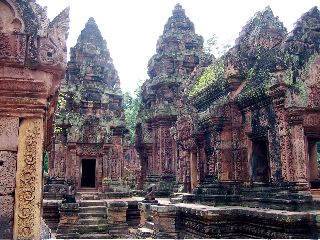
x=6 y=216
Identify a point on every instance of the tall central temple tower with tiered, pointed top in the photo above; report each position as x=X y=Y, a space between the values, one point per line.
x=179 y=51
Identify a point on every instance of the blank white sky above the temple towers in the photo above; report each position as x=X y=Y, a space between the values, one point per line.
x=132 y=27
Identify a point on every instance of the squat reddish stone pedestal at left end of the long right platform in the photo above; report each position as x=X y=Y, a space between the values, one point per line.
x=164 y=219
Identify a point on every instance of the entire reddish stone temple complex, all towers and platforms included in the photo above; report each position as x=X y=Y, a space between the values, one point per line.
x=226 y=147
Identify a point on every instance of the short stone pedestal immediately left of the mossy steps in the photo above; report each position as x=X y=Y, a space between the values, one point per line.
x=69 y=218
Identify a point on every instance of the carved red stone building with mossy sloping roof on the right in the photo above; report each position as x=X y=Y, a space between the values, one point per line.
x=252 y=123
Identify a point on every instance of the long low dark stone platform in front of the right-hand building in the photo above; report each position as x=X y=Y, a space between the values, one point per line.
x=192 y=220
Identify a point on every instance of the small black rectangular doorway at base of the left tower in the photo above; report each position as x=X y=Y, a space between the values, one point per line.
x=88 y=176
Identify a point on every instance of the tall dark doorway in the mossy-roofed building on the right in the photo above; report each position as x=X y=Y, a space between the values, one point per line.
x=260 y=161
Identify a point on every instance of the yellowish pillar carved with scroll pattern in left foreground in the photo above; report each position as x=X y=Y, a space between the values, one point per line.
x=28 y=195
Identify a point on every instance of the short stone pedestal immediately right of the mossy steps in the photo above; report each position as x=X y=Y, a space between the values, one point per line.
x=116 y=217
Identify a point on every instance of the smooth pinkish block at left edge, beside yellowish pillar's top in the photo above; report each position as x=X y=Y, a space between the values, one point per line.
x=9 y=127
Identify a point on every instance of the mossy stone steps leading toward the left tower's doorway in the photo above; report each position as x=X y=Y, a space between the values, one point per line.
x=93 y=219
